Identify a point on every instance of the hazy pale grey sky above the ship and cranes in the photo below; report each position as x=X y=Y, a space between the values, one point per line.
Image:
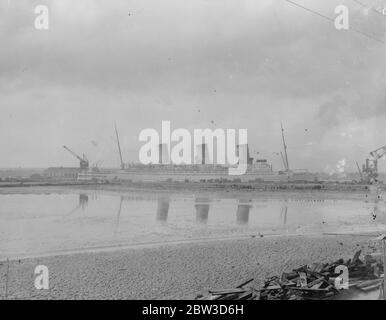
x=242 y=64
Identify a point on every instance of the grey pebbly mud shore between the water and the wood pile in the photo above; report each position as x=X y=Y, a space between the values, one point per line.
x=173 y=271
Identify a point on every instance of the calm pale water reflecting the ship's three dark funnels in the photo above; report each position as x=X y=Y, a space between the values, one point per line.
x=34 y=224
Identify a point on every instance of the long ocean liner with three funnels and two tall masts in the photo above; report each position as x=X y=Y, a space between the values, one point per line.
x=258 y=170
